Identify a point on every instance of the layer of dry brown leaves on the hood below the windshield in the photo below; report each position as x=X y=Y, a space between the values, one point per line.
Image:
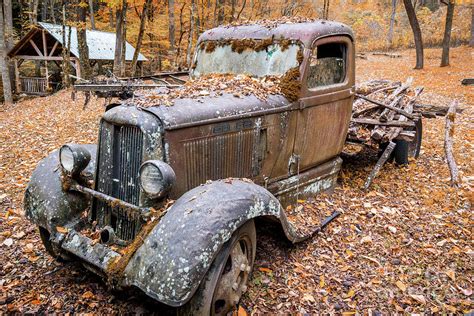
x=211 y=86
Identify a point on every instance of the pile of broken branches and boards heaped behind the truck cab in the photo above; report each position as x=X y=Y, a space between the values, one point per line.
x=384 y=110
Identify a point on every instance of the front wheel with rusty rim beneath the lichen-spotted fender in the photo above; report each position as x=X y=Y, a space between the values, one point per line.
x=227 y=278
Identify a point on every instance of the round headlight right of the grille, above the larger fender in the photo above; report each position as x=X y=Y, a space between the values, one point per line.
x=156 y=178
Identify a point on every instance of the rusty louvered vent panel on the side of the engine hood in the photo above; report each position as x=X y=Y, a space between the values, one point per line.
x=219 y=157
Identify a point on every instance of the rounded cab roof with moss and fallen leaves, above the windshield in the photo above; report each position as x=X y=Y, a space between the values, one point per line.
x=306 y=32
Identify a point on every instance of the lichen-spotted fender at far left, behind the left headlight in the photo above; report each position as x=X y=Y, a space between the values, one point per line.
x=45 y=202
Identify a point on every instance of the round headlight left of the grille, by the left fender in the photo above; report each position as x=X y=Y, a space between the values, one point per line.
x=74 y=158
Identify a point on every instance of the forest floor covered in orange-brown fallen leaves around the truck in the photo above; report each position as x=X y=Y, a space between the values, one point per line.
x=403 y=246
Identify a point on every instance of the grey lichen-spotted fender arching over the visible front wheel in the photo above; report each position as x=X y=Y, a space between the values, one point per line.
x=177 y=253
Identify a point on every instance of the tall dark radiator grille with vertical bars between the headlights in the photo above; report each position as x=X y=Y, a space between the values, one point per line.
x=120 y=156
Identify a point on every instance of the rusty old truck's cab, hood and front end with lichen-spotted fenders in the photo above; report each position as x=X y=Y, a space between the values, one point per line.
x=167 y=201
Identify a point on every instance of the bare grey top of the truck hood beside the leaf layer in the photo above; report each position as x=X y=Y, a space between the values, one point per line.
x=188 y=112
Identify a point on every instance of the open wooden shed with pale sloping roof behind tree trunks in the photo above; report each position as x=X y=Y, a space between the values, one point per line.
x=44 y=43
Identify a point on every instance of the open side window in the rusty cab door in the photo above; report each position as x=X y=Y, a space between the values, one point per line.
x=327 y=65
